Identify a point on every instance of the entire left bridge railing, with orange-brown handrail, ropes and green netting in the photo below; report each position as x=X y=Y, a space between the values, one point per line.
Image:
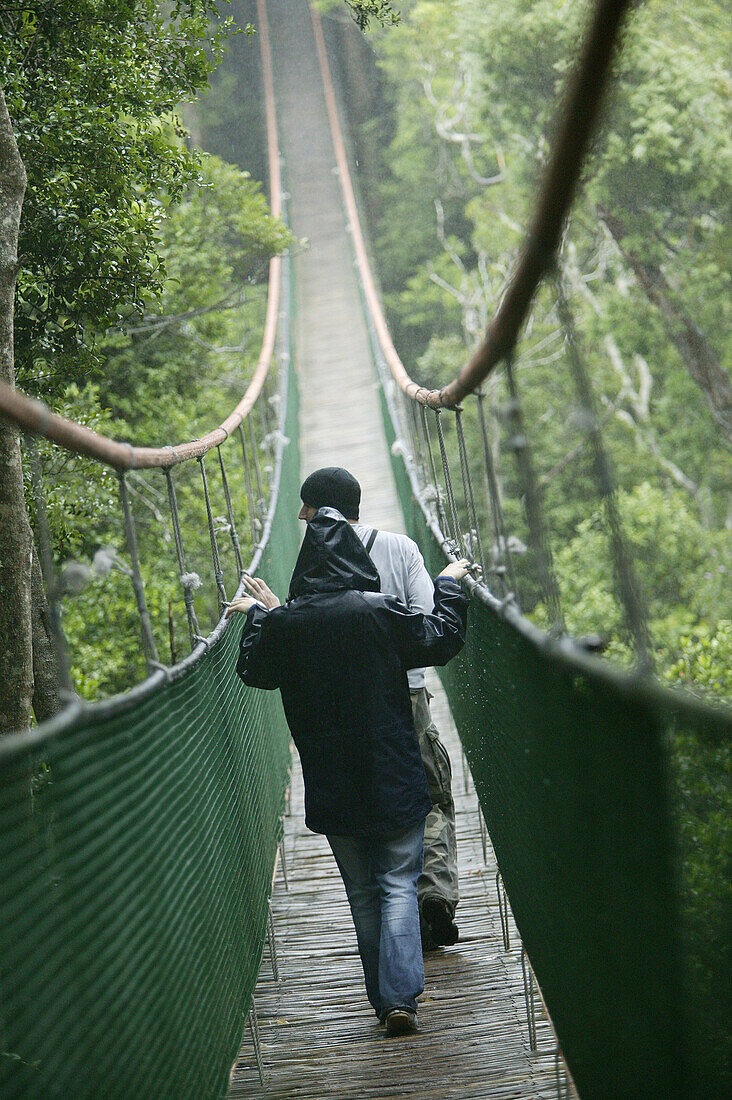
x=139 y=834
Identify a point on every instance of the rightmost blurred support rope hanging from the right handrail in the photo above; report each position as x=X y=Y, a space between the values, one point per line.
x=627 y=581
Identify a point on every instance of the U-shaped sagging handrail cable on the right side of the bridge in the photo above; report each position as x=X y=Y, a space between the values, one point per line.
x=570 y=151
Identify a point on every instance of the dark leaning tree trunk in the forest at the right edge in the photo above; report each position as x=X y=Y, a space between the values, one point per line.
x=691 y=343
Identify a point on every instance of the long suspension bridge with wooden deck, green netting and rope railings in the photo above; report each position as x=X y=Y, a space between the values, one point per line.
x=170 y=928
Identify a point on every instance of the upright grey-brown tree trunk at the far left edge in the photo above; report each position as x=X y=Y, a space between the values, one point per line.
x=16 y=541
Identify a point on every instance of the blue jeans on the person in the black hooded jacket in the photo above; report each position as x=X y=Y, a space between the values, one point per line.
x=380 y=876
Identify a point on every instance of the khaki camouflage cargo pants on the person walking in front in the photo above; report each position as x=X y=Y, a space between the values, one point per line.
x=440 y=876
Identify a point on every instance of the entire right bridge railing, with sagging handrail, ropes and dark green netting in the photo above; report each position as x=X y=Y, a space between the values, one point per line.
x=573 y=761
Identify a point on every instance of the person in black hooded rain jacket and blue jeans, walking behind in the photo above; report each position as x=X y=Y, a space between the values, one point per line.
x=340 y=651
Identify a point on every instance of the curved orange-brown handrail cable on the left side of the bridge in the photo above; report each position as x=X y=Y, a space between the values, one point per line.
x=34 y=416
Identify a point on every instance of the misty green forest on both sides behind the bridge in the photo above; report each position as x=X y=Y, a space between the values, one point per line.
x=141 y=295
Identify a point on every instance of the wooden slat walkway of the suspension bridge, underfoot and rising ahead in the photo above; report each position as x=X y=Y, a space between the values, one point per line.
x=320 y=1037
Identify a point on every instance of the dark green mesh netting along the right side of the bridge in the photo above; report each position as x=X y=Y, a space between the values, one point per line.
x=611 y=854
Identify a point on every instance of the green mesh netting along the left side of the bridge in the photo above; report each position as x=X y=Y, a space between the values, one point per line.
x=137 y=851
